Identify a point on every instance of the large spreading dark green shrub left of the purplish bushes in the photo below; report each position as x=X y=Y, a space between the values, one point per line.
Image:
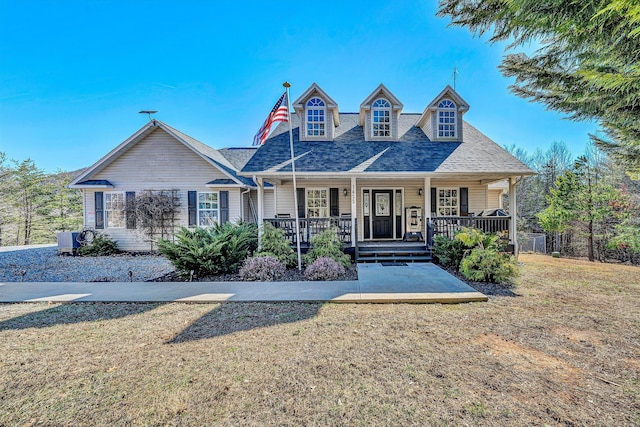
x=215 y=250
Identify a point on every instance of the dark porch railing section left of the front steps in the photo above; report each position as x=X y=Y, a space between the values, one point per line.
x=310 y=227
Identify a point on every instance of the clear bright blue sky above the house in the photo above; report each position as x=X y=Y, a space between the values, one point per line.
x=74 y=74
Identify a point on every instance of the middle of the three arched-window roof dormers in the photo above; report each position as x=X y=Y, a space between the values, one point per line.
x=379 y=115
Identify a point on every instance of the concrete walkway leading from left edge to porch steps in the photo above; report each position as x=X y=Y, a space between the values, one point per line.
x=415 y=283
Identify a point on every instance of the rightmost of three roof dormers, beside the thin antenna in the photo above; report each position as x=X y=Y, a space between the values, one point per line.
x=442 y=119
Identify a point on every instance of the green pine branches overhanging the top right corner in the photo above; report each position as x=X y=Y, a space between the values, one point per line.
x=587 y=66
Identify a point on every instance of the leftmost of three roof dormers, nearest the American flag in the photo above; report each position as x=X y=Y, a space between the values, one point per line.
x=318 y=114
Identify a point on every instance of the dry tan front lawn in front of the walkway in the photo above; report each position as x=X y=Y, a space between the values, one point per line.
x=565 y=350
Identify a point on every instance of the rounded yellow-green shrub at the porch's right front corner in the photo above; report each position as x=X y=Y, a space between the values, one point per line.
x=489 y=265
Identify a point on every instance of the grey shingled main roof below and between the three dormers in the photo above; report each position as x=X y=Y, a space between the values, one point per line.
x=413 y=152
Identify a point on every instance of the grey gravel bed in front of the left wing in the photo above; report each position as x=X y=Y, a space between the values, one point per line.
x=45 y=265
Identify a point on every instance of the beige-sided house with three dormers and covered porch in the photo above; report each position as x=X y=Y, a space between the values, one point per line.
x=379 y=174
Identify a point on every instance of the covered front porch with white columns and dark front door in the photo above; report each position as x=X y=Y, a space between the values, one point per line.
x=369 y=211
